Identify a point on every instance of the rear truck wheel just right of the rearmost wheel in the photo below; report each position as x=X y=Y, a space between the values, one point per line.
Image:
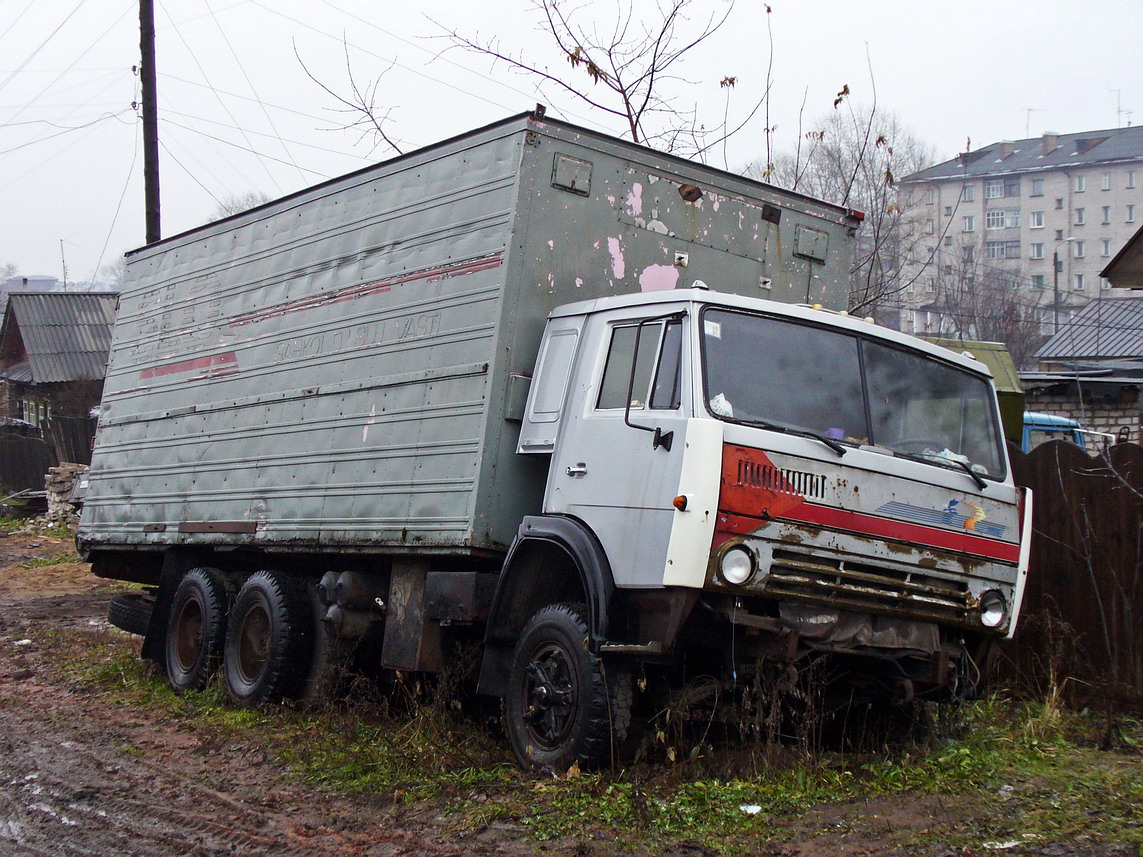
x=267 y=654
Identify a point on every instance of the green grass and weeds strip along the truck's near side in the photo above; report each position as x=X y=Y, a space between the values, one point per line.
x=1002 y=772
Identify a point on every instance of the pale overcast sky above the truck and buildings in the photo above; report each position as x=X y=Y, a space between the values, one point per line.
x=238 y=113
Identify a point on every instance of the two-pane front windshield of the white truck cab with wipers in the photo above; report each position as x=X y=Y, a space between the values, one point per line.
x=795 y=378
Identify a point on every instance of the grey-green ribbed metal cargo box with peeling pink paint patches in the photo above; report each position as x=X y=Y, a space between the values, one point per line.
x=342 y=370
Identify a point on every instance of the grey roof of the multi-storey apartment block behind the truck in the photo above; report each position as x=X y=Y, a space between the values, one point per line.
x=1027 y=156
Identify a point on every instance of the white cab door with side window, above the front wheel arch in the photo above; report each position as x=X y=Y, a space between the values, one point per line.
x=618 y=461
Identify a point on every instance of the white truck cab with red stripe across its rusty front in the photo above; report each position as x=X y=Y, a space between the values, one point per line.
x=776 y=482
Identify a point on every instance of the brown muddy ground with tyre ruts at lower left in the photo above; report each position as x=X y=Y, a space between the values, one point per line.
x=83 y=775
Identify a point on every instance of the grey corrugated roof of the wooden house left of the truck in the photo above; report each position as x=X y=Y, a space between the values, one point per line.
x=67 y=335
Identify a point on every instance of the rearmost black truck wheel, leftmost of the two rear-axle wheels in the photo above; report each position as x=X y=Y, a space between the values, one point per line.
x=196 y=630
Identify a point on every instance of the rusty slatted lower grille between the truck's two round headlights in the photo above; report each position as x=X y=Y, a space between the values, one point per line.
x=867 y=589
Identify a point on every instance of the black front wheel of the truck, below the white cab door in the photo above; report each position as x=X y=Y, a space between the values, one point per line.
x=563 y=707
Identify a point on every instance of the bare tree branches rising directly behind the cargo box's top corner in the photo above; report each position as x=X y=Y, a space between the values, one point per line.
x=624 y=65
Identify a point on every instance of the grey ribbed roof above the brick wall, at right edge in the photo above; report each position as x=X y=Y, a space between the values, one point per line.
x=1104 y=330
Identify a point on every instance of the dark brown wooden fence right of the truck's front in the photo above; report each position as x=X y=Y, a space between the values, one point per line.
x=1083 y=620
